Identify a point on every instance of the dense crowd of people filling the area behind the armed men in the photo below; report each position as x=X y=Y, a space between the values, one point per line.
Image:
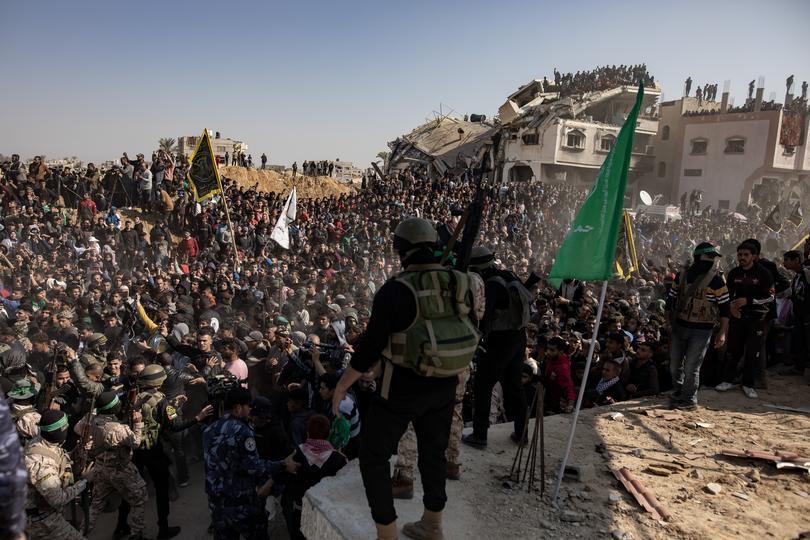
x=195 y=341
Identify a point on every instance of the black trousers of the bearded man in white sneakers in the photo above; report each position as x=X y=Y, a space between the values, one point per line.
x=745 y=338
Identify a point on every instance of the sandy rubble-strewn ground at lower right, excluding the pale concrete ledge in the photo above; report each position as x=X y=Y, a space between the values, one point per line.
x=774 y=504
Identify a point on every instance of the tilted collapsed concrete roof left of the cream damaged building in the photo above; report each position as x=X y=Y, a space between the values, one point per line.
x=441 y=144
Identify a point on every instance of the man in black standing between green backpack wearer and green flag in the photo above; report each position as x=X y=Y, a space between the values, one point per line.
x=501 y=359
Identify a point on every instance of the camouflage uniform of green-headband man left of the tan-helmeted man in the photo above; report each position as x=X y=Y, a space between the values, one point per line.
x=113 y=470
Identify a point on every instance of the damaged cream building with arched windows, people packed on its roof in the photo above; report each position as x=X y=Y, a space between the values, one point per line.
x=557 y=139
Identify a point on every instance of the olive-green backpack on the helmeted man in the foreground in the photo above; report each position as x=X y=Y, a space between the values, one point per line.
x=441 y=340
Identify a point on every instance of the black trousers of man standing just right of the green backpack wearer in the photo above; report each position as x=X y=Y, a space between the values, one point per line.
x=502 y=362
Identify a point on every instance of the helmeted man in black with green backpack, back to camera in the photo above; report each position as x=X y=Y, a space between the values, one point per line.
x=420 y=328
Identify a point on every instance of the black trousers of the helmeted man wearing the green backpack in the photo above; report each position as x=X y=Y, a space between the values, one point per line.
x=430 y=408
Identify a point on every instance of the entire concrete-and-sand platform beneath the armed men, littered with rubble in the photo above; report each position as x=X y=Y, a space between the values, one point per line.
x=486 y=504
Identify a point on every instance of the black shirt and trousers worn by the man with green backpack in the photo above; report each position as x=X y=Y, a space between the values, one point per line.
x=427 y=402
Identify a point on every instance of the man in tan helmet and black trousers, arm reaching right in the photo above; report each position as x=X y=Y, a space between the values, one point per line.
x=157 y=414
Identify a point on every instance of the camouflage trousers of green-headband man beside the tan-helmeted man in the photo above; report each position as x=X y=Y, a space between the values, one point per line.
x=125 y=481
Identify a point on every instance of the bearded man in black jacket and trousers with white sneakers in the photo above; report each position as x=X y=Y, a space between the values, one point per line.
x=751 y=291
